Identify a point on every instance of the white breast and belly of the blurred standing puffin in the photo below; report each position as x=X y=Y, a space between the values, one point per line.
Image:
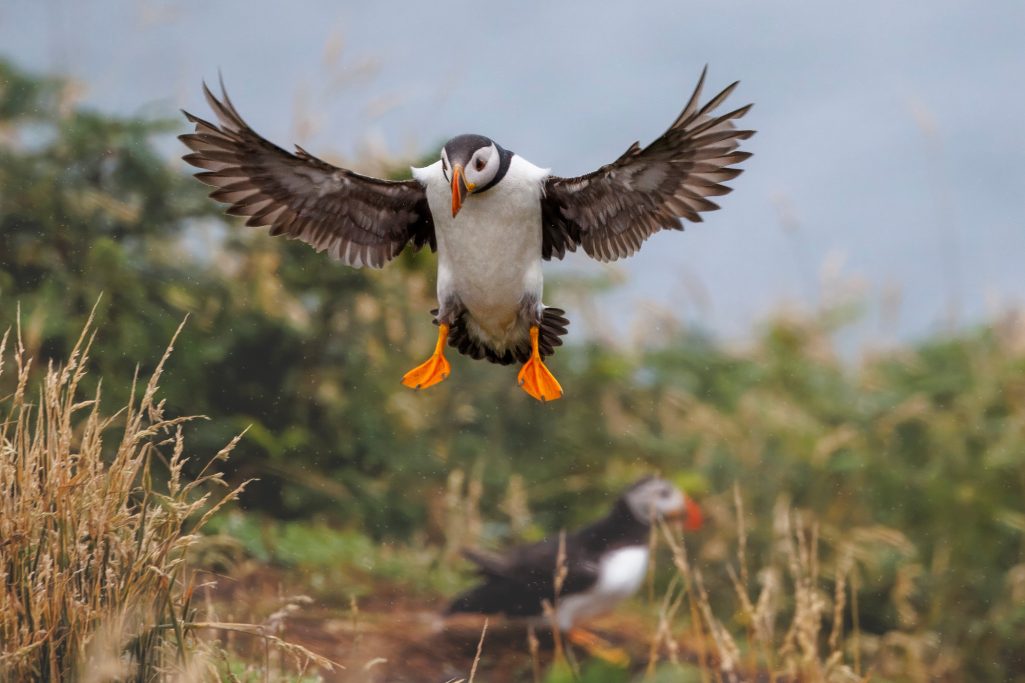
x=620 y=577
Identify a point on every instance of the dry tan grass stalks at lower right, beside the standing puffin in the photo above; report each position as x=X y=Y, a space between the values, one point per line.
x=784 y=633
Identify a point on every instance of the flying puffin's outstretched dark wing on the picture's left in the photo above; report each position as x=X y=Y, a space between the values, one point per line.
x=361 y=221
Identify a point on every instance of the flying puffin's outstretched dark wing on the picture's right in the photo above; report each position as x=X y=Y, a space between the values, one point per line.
x=612 y=211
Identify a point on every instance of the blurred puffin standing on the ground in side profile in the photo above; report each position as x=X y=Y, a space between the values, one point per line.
x=605 y=563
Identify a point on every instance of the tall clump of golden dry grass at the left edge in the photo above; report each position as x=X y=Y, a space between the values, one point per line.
x=97 y=524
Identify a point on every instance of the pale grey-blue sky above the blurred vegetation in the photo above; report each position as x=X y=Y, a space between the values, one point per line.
x=888 y=163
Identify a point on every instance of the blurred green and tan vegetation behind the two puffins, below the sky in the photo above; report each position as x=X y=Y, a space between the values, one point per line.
x=914 y=461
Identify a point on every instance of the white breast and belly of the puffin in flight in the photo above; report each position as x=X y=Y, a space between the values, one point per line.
x=489 y=256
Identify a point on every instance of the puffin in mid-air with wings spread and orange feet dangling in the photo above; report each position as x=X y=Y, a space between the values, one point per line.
x=493 y=217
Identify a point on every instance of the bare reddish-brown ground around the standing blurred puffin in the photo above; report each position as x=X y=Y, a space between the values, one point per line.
x=393 y=639
